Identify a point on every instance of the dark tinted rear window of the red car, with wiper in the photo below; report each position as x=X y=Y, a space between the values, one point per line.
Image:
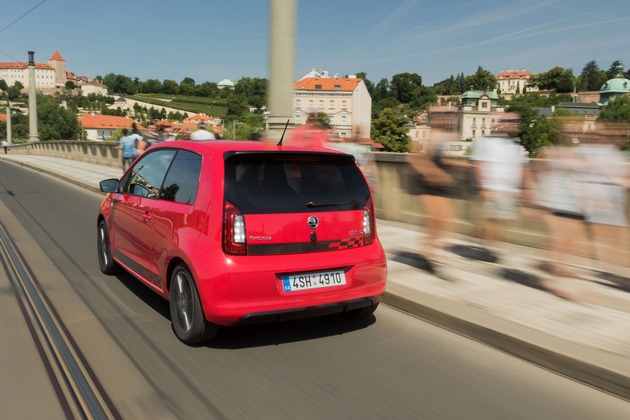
x=287 y=182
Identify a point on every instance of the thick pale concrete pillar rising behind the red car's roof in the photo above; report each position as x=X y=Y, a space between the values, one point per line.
x=281 y=66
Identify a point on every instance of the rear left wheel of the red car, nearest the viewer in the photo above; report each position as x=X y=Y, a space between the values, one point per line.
x=187 y=318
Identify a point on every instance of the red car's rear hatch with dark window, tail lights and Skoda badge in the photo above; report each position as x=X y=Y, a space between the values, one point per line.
x=281 y=202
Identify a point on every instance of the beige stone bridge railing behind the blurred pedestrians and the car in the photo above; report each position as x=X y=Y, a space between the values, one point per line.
x=393 y=198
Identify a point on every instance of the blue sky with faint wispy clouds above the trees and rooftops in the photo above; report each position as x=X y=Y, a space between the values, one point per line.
x=211 y=40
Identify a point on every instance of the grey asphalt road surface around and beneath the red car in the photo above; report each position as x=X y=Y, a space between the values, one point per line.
x=392 y=366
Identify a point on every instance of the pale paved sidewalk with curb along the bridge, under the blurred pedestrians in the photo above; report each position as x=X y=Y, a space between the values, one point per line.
x=508 y=304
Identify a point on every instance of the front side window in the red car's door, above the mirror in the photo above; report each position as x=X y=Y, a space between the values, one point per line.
x=147 y=174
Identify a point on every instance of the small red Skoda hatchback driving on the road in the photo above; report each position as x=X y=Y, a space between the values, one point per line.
x=242 y=232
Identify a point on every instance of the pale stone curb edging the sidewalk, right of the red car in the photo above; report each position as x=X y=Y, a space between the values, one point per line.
x=605 y=371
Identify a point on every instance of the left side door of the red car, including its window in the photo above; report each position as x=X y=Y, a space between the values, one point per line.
x=132 y=232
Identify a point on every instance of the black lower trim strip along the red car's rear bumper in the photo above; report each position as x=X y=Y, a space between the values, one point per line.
x=309 y=312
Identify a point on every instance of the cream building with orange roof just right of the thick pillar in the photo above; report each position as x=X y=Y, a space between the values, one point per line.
x=345 y=100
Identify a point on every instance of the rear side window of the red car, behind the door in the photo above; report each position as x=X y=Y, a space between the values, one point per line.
x=182 y=179
